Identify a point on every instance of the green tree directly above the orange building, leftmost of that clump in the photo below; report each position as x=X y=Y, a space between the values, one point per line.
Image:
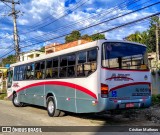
x=75 y=35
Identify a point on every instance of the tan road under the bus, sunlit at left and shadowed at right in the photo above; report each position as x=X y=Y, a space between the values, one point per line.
x=36 y=116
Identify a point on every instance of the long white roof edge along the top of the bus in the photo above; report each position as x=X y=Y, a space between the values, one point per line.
x=73 y=49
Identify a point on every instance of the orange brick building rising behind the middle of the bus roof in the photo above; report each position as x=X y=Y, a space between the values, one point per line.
x=57 y=47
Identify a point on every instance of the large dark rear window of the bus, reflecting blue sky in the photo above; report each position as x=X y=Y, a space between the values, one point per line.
x=121 y=55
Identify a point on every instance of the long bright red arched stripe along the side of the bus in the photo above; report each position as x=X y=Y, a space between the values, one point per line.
x=59 y=83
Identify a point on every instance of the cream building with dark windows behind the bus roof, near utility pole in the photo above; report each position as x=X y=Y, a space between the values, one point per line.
x=30 y=55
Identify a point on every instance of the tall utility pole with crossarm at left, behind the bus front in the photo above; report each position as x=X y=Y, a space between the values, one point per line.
x=15 y=32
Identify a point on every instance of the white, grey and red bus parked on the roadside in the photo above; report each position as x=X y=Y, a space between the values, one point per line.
x=94 y=77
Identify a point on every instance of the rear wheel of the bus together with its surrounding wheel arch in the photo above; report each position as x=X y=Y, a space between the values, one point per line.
x=52 y=105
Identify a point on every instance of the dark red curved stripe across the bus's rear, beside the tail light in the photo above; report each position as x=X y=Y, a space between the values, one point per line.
x=129 y=84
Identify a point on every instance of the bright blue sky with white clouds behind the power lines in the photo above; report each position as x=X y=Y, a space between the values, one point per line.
x=43 y=22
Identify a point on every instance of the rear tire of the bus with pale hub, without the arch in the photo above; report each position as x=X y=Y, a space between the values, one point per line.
x=51 y=108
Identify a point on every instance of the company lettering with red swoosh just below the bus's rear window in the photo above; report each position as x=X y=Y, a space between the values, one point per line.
x=120 y=77
